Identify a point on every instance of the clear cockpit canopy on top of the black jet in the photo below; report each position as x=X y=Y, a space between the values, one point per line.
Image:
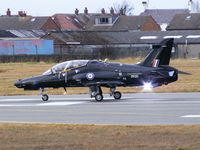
x=65 y=66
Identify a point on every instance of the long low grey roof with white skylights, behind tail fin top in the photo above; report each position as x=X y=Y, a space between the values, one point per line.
x=126 y=37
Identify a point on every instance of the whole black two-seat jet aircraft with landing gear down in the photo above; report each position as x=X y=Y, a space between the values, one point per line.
x=154 y=71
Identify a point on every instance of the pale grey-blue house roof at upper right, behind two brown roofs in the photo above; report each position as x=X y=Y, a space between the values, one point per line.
x=163 y=15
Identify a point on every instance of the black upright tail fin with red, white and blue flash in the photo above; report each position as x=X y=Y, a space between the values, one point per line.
x=160 y=55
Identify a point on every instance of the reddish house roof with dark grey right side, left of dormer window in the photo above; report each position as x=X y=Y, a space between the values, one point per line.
x=70 y=21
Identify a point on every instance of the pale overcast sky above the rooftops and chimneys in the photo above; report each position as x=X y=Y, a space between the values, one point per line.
x=50 y=7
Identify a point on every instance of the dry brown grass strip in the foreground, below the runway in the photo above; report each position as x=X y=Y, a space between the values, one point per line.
x=98 y=137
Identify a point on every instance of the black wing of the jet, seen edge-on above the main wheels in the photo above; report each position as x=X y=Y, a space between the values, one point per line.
x=105 y=83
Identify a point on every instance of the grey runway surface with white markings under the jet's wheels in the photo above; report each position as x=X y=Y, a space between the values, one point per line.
x=132 y=109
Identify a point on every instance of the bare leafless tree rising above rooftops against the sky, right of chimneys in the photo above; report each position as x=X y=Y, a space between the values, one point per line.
x=125 y=8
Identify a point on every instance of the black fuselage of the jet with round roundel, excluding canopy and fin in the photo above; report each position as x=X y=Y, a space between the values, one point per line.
x=102 y=74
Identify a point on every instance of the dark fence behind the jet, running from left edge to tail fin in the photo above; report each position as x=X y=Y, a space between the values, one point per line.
x=63 y=53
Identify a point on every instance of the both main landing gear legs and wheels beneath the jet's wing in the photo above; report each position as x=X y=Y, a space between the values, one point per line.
x=96 y=92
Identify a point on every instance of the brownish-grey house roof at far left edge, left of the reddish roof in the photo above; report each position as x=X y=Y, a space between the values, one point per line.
x=22 y=23
